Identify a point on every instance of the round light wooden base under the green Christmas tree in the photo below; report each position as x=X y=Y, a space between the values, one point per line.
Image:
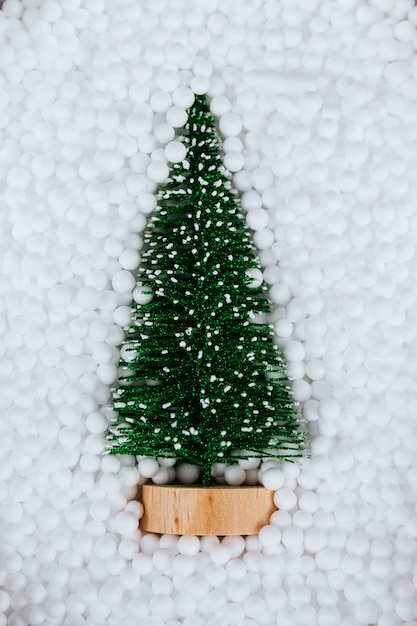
x=196 y=510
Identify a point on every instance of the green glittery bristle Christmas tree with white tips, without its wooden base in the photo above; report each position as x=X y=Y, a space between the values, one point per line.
x=201 y=379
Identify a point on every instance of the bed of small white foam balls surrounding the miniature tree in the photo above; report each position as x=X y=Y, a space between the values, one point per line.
x=316 y=102
